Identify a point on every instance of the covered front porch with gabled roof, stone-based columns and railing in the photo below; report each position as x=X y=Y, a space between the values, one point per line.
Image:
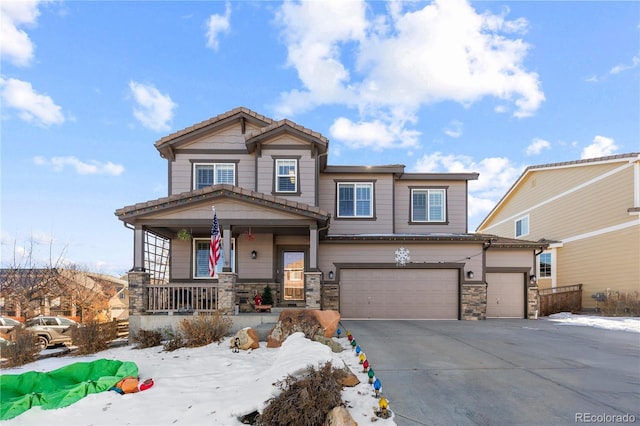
x=265 y=241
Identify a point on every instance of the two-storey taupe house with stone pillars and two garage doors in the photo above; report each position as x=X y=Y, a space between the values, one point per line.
x=369 y=241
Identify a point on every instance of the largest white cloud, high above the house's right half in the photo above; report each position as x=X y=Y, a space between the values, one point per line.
x=388 y=66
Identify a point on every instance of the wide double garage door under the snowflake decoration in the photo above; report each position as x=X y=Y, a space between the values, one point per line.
x=399 y=293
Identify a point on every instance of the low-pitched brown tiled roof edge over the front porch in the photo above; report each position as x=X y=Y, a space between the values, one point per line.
x=129 y=213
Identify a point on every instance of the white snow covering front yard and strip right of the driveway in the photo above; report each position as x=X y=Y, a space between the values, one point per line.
x=211 y=385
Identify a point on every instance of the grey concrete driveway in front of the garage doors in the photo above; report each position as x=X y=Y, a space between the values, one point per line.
x=503 y=372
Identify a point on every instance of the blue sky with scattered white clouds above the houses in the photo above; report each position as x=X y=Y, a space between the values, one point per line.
x=87 y=87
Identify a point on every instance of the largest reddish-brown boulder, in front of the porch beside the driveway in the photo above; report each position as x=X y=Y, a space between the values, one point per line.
x=311 y=322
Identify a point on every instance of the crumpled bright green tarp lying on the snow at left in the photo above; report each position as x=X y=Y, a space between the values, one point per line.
x=61 y=387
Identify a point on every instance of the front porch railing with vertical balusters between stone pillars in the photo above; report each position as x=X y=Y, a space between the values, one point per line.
x=182 y=298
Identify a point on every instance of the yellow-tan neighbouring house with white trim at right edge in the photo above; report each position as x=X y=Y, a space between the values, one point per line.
x=589 y=213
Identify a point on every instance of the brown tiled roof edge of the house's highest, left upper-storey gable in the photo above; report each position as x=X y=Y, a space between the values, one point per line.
x=167 y=144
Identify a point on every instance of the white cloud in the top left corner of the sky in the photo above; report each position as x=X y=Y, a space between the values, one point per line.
x=16 y=46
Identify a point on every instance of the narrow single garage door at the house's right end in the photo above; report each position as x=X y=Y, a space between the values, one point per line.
x=505 y=295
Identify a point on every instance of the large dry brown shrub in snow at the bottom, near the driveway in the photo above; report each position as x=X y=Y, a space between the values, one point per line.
x=306 y=400
